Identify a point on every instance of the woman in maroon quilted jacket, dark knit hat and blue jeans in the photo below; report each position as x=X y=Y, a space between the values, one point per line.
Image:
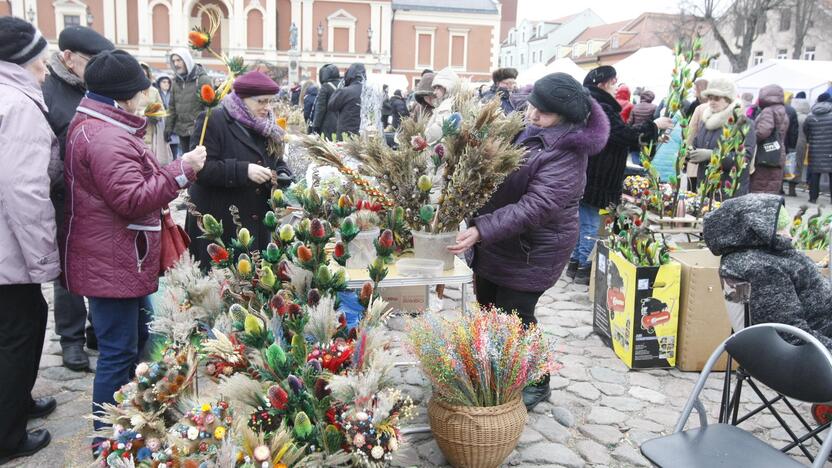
x=115 y=193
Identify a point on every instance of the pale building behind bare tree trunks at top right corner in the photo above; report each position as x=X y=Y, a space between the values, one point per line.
x=776 y=36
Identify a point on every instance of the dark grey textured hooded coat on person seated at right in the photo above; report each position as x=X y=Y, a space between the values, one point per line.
x=786 y=286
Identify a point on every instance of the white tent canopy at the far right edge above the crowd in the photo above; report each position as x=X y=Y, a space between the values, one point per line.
x=810 y=76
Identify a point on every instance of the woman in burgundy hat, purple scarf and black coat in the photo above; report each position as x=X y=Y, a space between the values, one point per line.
x=245 y=145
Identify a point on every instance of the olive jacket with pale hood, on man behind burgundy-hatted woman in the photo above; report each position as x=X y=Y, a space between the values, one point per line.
x=184 y=96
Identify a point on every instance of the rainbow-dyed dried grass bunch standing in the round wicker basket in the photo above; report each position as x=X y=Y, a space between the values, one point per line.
x=483 y=358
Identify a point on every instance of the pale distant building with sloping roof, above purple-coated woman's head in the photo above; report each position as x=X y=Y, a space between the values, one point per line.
x=530 y=43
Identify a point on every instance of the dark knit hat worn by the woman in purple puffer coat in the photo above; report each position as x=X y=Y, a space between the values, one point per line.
x=559 y=93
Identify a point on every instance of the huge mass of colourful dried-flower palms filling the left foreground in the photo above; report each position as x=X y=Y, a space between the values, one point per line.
x=299 y=370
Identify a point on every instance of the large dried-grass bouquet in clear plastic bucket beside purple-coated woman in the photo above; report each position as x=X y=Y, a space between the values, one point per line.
x=438 y=184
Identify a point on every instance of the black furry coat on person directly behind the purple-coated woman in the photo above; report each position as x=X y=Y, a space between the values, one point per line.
x=605 y=171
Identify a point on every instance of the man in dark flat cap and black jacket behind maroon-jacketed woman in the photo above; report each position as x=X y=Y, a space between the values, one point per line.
x=62 y=92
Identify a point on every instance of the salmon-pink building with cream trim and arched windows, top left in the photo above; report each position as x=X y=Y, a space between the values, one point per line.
x=297 y=35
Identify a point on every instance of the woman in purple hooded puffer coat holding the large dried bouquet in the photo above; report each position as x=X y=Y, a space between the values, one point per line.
x=524 y=235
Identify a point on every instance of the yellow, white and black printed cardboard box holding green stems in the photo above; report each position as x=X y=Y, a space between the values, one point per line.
x=636 y=309
